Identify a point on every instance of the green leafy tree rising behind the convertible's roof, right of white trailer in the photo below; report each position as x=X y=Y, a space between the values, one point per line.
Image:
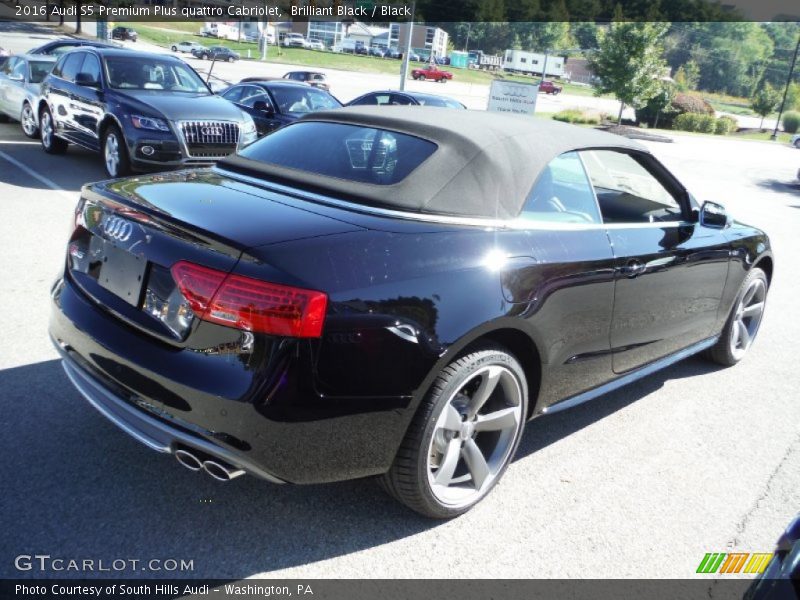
x=629 y=62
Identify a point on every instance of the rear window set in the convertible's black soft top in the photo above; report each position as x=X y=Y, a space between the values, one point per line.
x=348 y=152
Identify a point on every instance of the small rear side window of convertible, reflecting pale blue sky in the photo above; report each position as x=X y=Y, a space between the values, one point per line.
x=562 y=193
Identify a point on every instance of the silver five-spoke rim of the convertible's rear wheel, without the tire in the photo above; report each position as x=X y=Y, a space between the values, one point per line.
x=474 y=435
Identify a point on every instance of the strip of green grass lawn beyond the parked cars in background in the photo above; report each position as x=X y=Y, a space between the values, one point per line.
x=162 y=36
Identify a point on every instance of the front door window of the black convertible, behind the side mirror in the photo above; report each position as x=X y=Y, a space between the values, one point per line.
x=627 y=191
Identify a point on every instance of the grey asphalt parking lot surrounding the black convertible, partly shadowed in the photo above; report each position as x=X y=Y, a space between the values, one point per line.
x=640 y=483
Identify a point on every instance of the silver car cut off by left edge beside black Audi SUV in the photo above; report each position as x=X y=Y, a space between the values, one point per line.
x=20 y=77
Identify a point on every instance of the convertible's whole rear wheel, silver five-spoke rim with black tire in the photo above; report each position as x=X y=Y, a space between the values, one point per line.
x=463 y=436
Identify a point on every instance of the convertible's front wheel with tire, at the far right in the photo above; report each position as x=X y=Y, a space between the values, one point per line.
x=744 y=321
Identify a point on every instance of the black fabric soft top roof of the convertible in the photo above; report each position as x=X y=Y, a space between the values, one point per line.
x=485 y=165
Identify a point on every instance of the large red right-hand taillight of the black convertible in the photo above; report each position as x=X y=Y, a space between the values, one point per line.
x=251 y=304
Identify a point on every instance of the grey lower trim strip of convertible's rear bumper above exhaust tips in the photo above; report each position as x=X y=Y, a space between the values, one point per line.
x=154 y=434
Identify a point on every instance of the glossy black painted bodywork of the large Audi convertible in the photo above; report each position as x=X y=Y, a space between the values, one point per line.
x=338 y=407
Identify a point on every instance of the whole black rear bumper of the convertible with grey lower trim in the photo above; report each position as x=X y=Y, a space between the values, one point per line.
x=264 y=417
